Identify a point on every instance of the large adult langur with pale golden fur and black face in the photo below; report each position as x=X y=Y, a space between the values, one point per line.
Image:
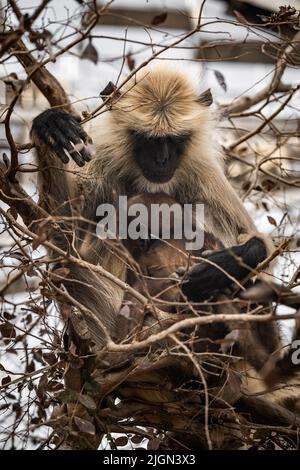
x=157 y=136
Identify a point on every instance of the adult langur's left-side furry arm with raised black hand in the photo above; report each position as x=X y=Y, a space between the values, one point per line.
x=62 y=194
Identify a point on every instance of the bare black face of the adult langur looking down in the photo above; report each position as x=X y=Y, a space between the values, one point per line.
x=158 y=157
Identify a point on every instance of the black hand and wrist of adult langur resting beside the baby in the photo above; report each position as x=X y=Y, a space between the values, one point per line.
x=222 y=269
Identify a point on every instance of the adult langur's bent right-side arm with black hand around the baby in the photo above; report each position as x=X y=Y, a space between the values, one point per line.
x=228 y=220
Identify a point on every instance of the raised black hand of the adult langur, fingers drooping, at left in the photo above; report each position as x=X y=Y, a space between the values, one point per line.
x=63 y=134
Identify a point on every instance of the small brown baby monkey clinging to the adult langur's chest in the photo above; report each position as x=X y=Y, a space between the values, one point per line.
x=162 y=262
